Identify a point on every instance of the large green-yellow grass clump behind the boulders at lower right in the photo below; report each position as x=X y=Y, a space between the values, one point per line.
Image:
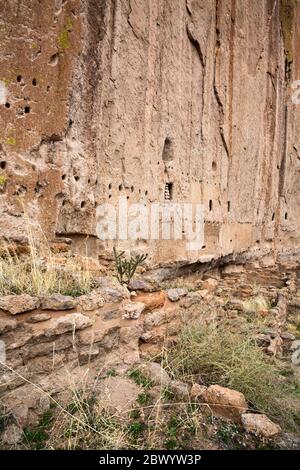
x=214 y=354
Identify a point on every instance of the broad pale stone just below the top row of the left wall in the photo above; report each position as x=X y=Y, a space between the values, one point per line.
x=70 y=322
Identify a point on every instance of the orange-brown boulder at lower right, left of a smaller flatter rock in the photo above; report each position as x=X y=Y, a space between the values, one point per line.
x=225 y=402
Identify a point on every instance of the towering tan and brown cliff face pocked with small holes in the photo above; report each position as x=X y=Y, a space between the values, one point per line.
x=120 y=97
